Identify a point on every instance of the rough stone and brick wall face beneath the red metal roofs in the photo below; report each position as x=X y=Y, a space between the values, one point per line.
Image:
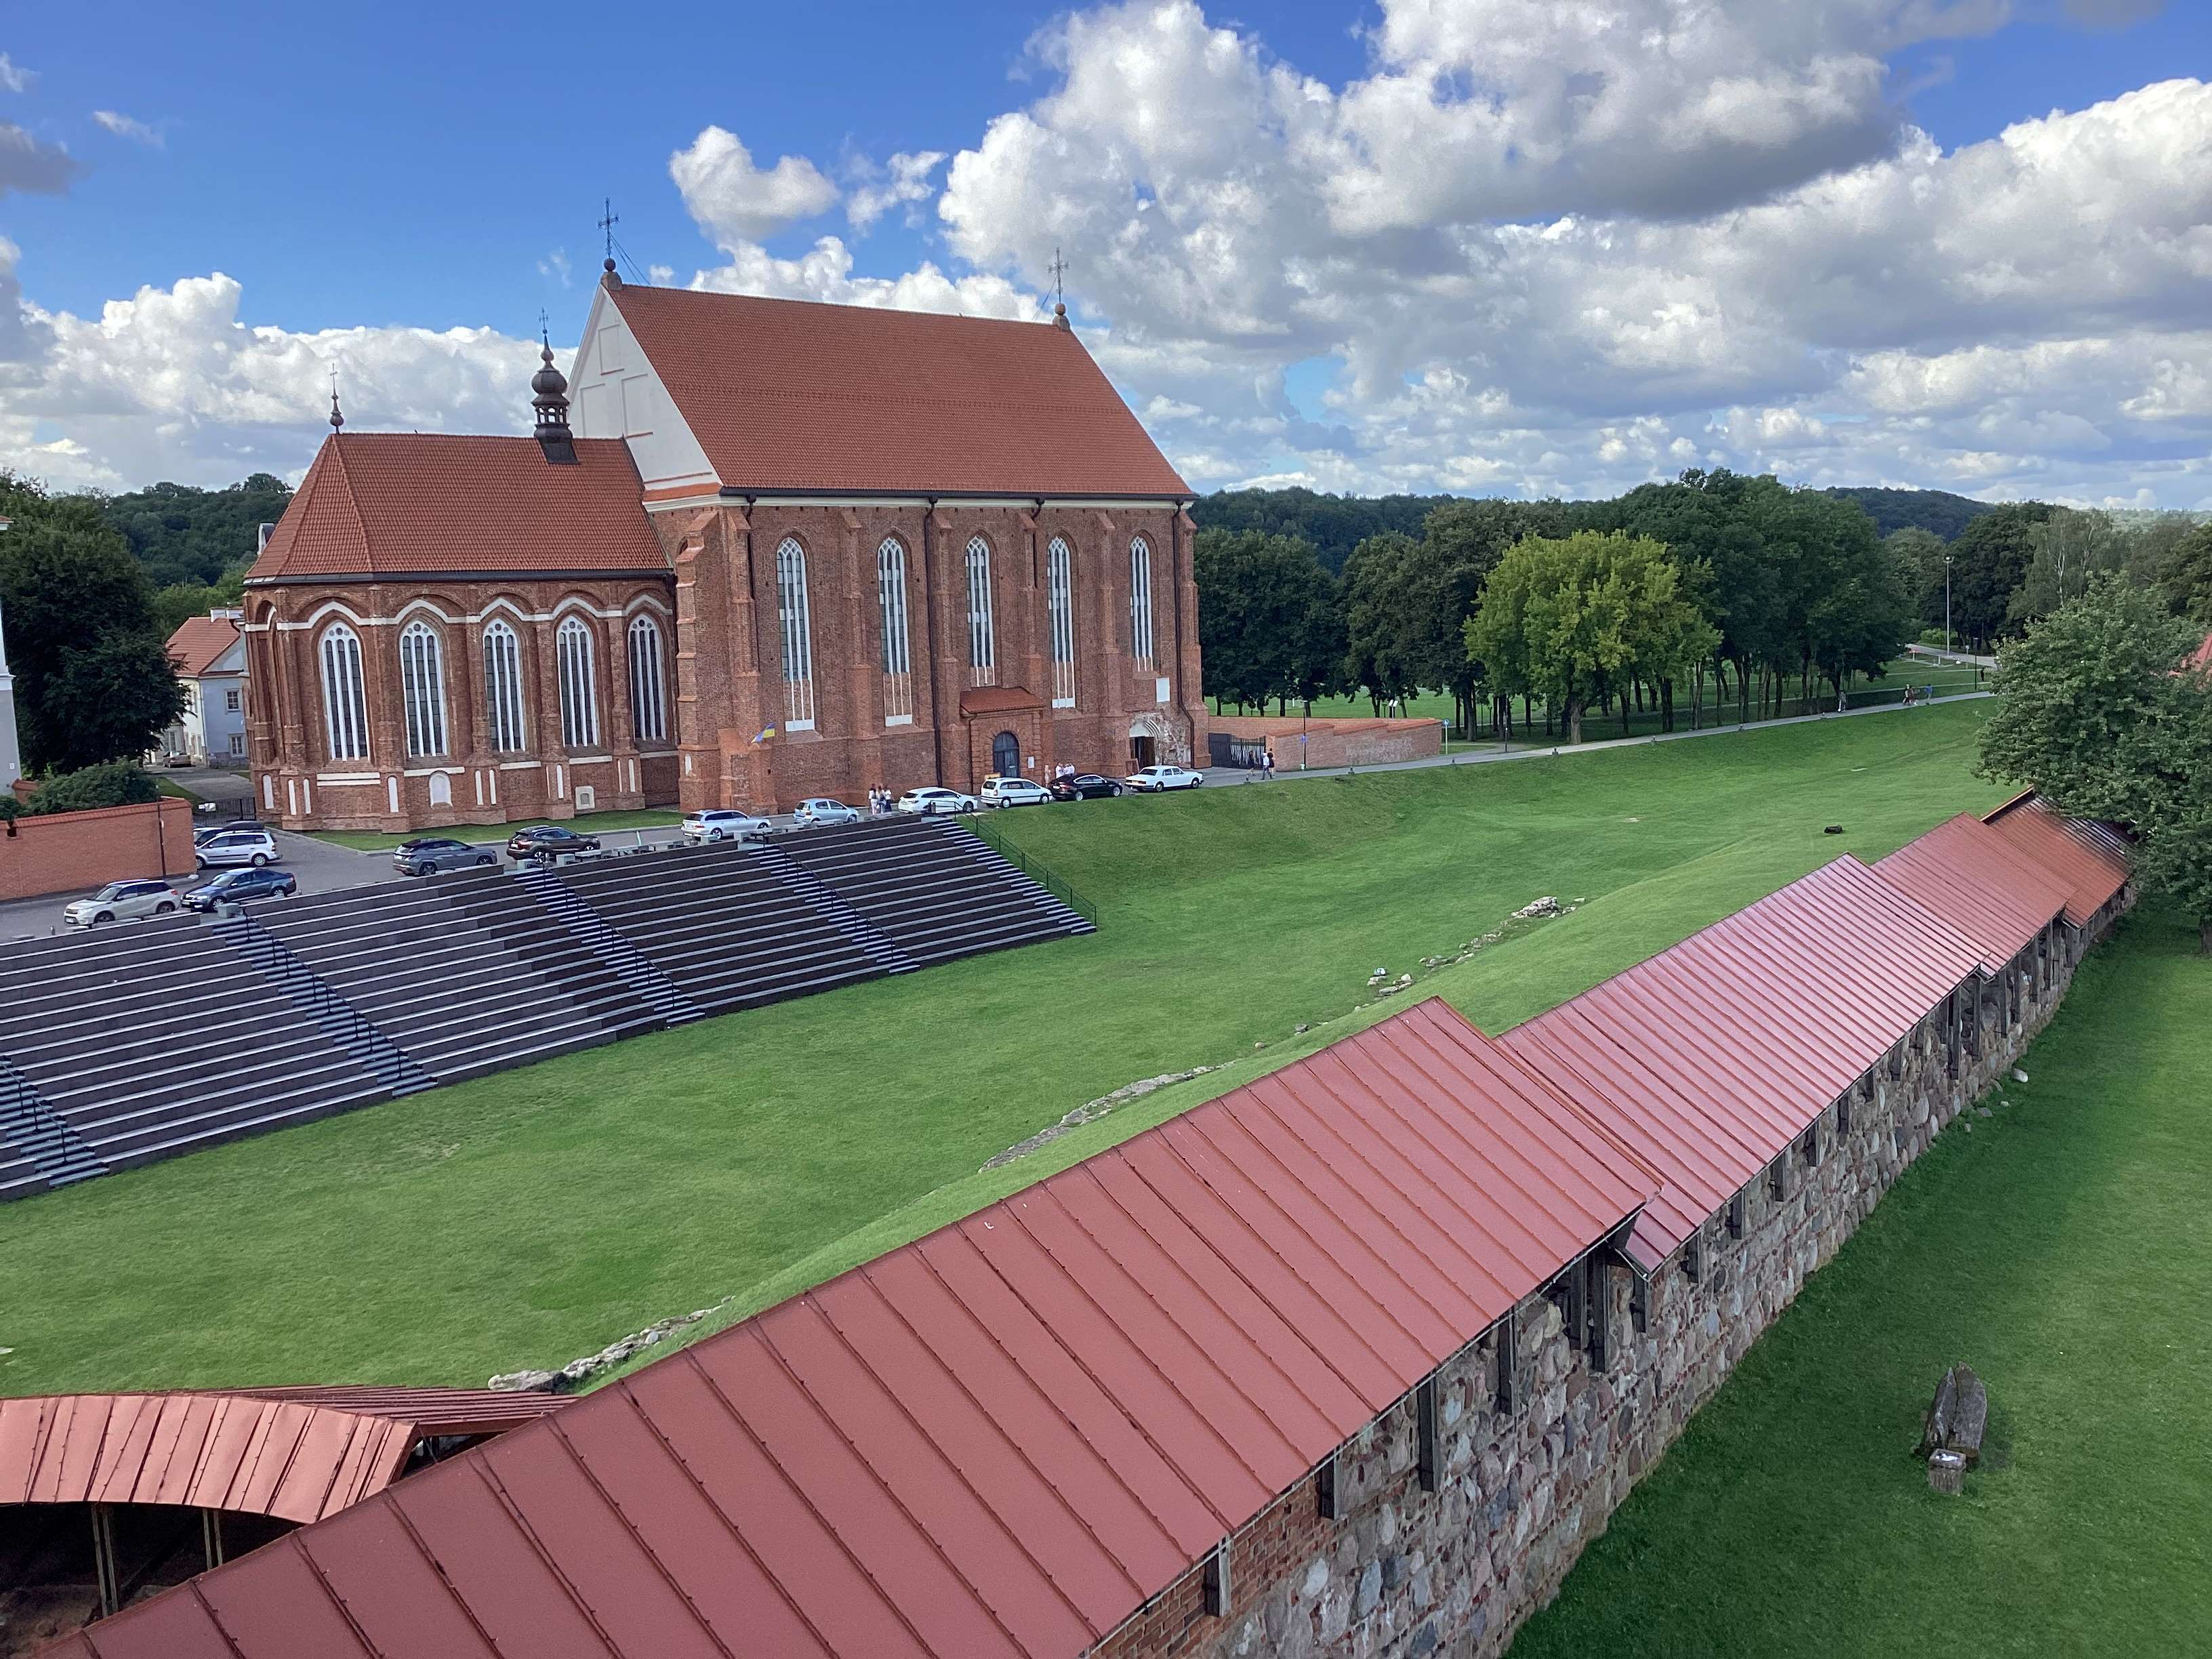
x=1603 y=1379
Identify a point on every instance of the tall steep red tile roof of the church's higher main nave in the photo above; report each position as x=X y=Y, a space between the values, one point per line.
x=804 y=397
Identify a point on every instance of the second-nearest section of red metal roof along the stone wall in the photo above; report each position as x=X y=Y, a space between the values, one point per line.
x=1718 y=1054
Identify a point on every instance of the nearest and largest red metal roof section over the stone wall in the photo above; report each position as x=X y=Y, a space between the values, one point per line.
x=1001 y=1439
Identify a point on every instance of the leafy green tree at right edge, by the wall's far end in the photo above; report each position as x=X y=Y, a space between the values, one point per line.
x=2100 y=716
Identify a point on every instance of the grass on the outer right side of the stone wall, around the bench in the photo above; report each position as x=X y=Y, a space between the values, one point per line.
x=2065 y=1251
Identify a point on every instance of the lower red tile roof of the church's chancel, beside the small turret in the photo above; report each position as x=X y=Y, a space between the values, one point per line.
x=430 y=503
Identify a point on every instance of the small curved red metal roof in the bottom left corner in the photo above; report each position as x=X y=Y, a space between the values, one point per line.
x=298 y=1454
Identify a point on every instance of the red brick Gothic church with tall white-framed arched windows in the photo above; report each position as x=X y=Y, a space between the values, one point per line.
x=778 y=550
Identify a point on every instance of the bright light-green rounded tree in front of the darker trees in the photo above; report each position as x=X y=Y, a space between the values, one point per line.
x=1578 y=618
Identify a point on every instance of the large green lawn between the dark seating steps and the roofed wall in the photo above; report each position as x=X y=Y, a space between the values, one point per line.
x=534 y=1215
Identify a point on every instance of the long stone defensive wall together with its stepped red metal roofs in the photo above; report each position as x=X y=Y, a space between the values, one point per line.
x=1348 y=1364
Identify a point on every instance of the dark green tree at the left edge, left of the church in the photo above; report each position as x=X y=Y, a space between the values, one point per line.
x=92 y=671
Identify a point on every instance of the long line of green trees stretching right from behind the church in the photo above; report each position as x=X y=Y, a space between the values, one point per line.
x=1711 y=589
